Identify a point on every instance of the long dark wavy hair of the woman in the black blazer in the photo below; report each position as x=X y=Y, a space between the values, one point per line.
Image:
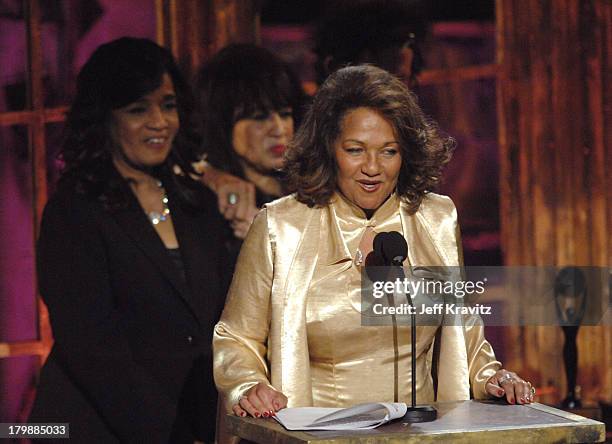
x=118 y=73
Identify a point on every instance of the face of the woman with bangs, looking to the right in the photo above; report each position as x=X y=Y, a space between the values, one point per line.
x=261 y=139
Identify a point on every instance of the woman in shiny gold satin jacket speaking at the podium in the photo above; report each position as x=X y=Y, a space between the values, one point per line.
x=363 y=162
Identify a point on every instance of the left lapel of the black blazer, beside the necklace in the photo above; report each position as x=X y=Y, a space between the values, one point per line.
x=136 y=225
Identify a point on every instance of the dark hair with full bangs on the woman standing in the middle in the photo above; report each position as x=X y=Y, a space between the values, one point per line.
x=237 y=82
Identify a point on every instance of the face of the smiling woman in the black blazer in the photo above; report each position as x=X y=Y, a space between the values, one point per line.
x=145 y=129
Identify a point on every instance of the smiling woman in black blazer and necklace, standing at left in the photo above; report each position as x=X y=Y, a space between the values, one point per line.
x=130 y=259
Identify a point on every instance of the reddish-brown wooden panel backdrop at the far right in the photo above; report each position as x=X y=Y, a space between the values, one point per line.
x=555 y=136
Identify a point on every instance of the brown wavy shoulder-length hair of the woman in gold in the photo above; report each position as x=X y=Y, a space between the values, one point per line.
x=311 y=162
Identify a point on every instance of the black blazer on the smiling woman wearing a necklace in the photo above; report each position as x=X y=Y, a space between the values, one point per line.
x=129 y=331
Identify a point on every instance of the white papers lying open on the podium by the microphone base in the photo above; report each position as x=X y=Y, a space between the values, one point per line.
x=359 y=417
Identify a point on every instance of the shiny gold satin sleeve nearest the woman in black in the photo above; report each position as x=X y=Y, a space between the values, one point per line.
x=240 y=337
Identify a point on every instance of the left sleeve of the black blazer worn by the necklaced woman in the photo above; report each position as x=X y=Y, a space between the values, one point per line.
x=89 y=331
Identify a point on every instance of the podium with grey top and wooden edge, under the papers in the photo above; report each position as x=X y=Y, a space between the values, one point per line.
x=464 y=421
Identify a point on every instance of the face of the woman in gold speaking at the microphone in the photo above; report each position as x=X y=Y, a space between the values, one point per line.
x=368 y=158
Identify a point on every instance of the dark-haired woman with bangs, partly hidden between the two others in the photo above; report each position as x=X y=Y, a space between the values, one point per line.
x=250 y=102
